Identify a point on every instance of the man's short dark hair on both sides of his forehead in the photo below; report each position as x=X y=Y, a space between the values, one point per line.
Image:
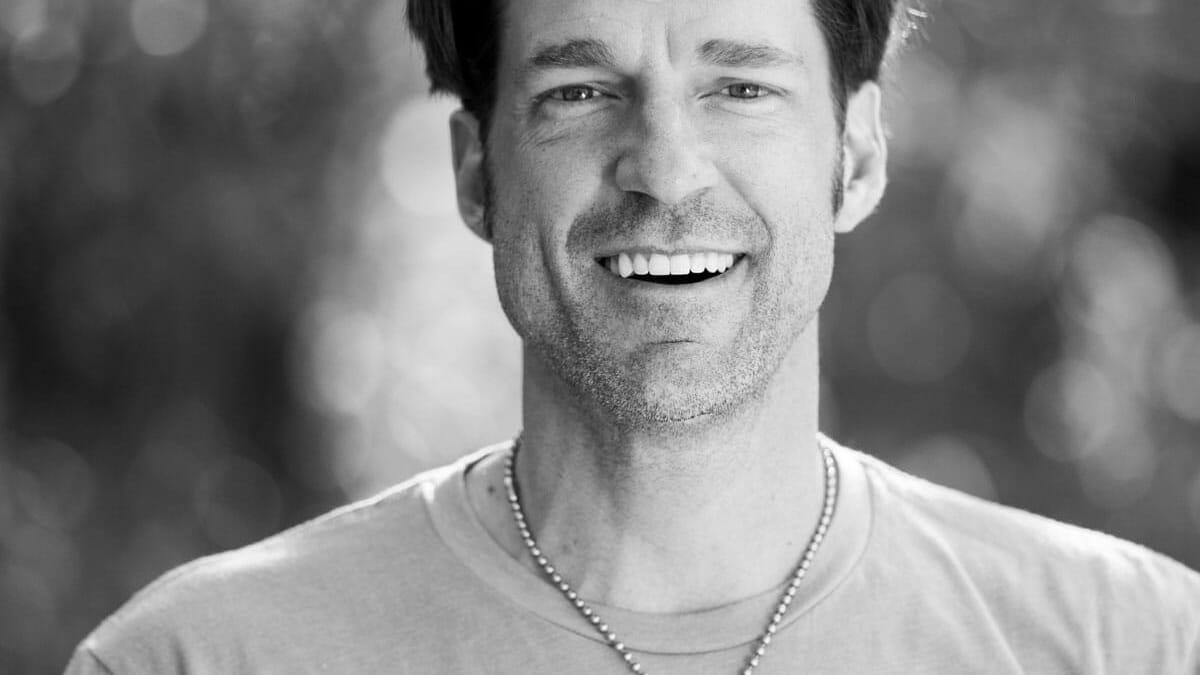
x=461 y=41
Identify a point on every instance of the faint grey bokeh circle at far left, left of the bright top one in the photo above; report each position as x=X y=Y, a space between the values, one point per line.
x=45 y=64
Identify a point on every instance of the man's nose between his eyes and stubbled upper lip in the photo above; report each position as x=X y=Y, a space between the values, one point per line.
x=665 y=158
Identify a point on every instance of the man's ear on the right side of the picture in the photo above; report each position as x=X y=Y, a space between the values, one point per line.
x=865 y=158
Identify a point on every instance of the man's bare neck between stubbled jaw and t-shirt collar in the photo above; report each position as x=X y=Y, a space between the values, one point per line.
x=662 y=521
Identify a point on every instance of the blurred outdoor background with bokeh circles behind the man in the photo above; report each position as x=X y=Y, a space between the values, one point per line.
x=235 y=291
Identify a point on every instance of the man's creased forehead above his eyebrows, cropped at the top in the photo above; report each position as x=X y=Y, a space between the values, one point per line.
x=637 y=31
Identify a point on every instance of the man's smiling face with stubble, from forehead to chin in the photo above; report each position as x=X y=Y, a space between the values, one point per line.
x=685 y=134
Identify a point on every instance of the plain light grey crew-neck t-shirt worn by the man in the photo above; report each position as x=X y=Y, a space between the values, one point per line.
x=913 y=578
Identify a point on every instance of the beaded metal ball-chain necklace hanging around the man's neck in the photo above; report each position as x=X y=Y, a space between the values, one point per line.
x=761 y=644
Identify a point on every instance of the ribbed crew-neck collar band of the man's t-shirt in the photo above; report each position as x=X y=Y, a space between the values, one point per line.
x=713 y=630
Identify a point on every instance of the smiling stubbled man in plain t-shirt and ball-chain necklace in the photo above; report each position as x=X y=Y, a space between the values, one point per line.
x=662 y=182
